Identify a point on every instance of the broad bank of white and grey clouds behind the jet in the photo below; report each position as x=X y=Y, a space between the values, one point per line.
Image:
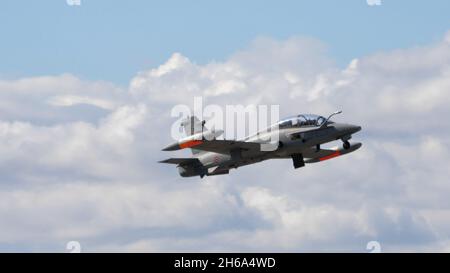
x=78 y=158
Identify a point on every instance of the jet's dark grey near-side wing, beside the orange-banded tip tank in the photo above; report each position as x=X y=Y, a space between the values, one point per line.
x=226 y=146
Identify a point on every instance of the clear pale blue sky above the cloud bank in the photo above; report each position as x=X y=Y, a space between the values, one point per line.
x=112 y=40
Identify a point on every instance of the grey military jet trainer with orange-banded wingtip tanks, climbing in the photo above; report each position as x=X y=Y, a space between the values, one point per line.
x=299 y=139
